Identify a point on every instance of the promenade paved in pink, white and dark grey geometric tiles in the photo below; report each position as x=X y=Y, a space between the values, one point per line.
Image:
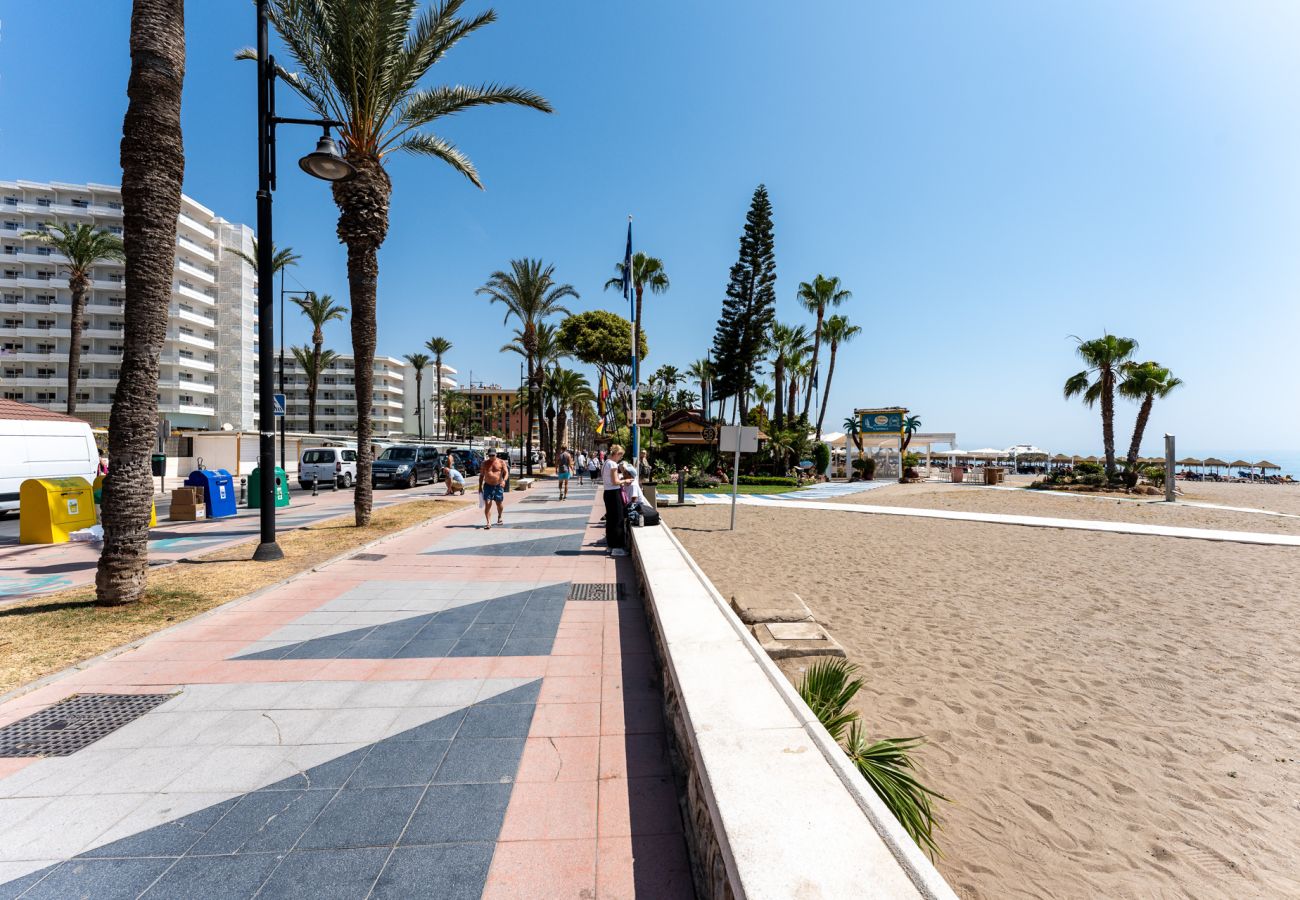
x=457 y=713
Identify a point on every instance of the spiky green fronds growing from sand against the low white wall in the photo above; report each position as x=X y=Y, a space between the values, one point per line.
x=889 y=767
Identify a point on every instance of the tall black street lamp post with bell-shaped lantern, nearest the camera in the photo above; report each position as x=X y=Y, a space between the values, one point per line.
x=326 y=163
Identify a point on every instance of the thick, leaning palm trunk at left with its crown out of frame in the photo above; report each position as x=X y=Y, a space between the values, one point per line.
x=153 y=158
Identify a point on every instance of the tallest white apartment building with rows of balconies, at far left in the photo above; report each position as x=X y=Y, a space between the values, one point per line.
x=207 y=361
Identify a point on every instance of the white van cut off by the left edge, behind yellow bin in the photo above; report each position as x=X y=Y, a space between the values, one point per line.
x=40 y=444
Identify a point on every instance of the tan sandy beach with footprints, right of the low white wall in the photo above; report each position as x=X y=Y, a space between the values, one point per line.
x=1112 y=716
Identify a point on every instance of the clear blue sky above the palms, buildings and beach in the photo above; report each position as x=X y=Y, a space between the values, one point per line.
x=987 y=179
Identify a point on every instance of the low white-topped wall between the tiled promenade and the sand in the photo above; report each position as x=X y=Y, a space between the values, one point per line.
x=774 y=808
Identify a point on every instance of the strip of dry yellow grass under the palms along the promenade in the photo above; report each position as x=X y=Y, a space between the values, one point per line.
x=51 y=633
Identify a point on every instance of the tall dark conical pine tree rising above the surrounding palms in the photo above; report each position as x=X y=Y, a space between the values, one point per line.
x=751 y=304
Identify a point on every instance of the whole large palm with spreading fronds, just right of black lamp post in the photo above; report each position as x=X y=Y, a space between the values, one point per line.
x=362 y=64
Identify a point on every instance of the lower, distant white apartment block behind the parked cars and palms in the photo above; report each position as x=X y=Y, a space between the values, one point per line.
x=393 y=400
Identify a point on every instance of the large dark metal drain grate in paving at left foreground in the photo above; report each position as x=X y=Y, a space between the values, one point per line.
x=75 y=724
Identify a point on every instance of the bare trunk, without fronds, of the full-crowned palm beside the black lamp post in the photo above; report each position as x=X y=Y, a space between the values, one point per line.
x=363 y=223
